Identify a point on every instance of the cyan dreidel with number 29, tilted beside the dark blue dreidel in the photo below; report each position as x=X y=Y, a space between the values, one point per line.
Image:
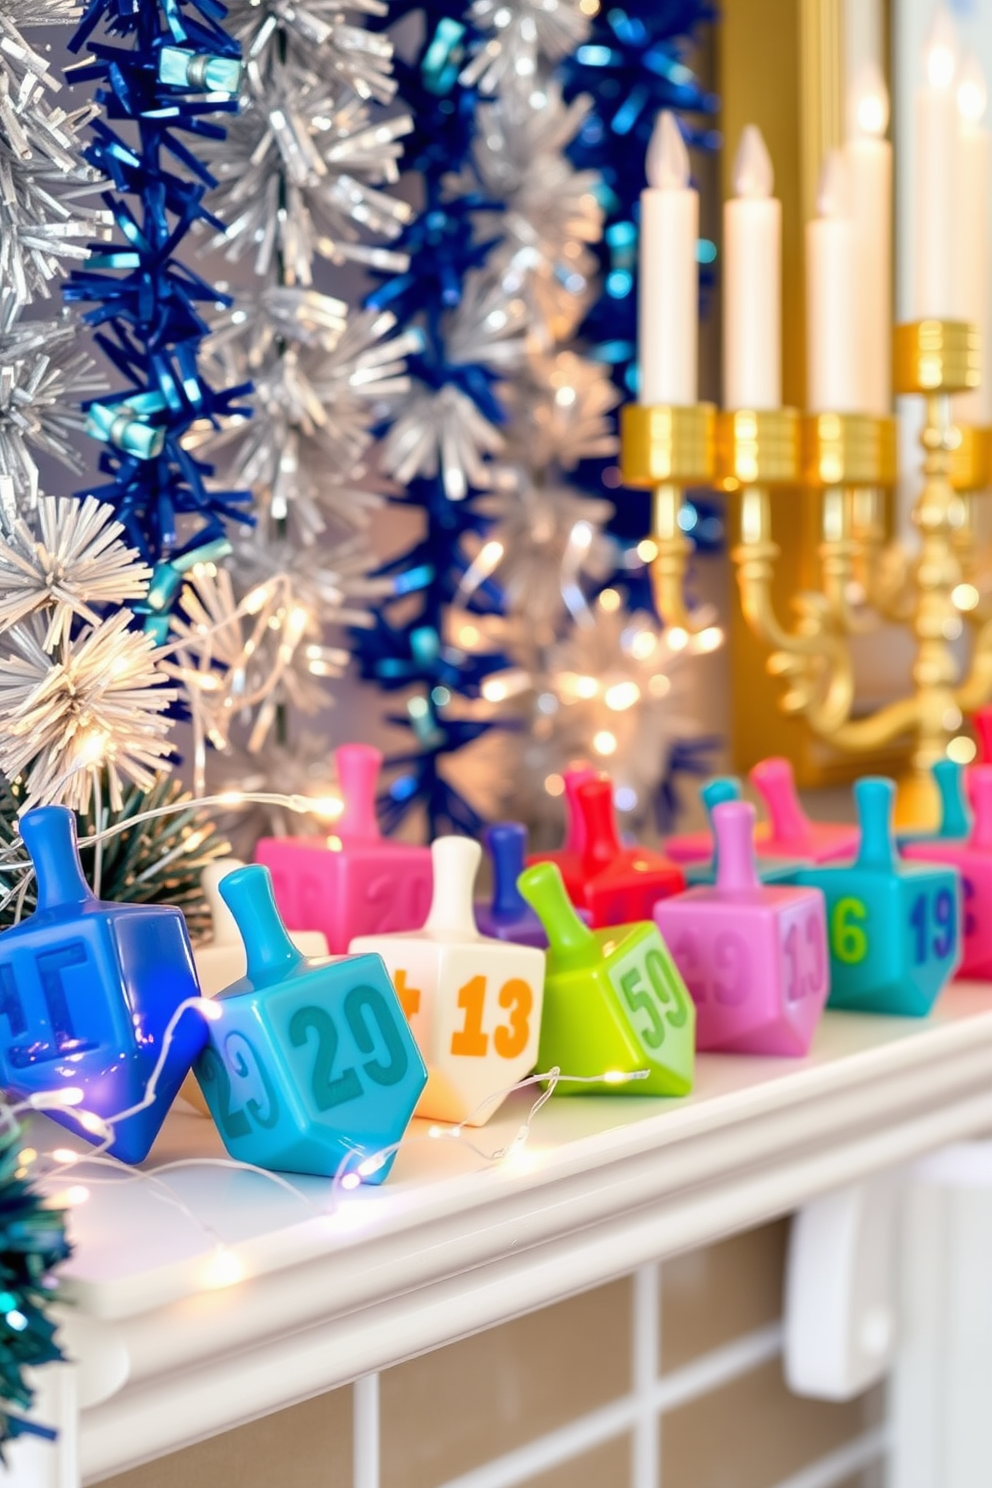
x=309 y=1065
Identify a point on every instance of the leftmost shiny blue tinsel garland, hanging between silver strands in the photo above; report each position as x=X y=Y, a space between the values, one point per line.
x=176 y=69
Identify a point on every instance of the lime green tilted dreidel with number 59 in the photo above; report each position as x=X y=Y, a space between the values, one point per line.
x=613 y=1001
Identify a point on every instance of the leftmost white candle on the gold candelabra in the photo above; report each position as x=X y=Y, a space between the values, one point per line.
x=669 y=289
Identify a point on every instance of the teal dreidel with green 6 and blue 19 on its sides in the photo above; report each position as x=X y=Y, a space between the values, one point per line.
x=895 y=928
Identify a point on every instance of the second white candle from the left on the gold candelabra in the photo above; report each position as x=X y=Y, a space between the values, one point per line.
x=753 y=282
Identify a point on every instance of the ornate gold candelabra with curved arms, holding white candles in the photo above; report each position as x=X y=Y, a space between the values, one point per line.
x=850 y=459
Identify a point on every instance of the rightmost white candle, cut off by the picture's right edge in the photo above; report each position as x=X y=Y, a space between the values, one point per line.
x=972 y=228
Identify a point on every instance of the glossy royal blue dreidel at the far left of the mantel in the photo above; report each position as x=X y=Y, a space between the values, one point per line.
x=88 y=992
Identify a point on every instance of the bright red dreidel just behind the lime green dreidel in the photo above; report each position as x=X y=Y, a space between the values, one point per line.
x=622 y=883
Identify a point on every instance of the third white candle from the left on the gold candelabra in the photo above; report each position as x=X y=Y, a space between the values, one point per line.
x=832 y=341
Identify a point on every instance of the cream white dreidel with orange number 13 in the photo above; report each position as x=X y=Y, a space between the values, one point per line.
x=474 y=1004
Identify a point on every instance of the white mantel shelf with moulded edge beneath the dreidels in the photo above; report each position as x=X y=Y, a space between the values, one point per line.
x=451 y=1245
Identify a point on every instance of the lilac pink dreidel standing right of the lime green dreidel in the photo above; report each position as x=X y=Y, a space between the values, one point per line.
x=755 y=958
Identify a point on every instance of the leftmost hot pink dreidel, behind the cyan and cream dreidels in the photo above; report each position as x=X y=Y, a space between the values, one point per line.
x=355 y=883
